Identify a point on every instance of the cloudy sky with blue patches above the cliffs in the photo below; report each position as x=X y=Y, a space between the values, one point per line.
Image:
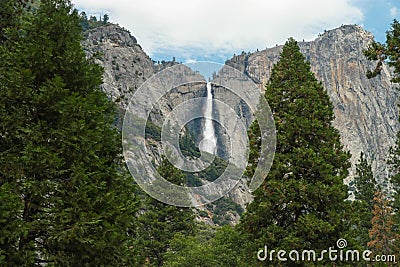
x=214 y=30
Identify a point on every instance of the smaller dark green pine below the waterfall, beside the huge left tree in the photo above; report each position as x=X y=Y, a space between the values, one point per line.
x=160 y=222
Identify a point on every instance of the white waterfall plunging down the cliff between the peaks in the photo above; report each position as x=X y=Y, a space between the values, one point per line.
x=209 y=142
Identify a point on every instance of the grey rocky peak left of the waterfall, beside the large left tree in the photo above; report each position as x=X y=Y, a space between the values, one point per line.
x=126 y=65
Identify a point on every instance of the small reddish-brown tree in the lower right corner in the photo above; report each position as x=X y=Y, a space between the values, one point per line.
x=381 y=234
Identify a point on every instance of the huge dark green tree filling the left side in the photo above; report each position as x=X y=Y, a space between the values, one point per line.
x=65 y=198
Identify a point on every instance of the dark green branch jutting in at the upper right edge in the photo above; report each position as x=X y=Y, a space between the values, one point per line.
x=388 y=52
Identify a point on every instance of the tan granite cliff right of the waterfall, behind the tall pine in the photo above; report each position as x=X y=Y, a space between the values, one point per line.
x=365 y=109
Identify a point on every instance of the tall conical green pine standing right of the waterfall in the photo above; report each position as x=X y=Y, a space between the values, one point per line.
x=300 y=204
